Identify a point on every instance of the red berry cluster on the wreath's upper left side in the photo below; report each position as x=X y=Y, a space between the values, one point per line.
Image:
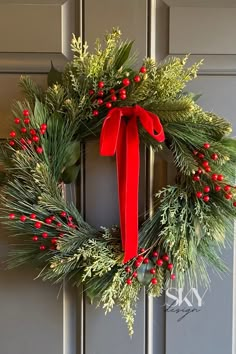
x=27 y=135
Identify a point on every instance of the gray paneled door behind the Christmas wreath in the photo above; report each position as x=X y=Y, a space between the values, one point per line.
x=40 y=318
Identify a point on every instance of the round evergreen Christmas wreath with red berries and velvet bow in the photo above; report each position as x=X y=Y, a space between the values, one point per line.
x=100 y=94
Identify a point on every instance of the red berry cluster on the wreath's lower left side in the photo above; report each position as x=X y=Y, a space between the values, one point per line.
x=54 y=222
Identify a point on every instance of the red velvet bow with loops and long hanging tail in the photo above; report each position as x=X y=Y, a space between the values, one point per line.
x=120 y=135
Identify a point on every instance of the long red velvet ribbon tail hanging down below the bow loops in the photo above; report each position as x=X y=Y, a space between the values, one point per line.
x=128 y=182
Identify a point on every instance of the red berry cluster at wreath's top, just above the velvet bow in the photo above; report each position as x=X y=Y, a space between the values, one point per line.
x=107 y=99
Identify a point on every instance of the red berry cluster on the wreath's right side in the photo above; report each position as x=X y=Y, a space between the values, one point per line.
x=205 y=169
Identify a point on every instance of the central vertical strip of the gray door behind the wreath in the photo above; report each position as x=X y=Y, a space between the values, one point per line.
x=106 y=334
